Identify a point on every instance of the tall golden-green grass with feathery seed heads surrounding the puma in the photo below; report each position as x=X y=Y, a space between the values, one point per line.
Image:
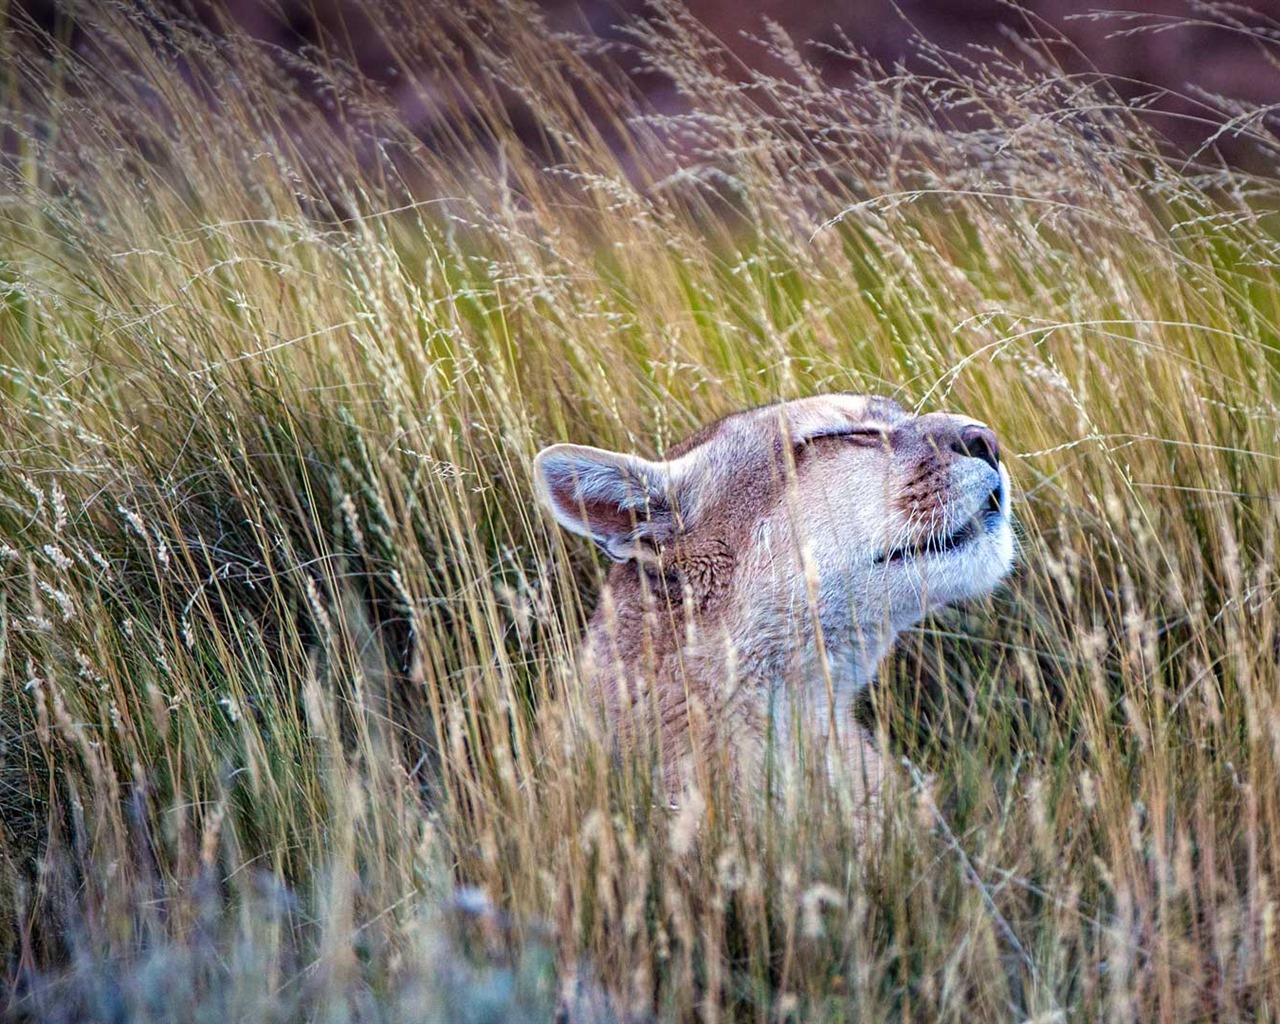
x=290 y=726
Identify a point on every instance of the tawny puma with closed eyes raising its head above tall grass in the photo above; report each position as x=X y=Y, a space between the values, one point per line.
x=789 y=546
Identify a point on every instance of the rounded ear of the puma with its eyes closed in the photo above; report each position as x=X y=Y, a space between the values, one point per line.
x=624 y=504
